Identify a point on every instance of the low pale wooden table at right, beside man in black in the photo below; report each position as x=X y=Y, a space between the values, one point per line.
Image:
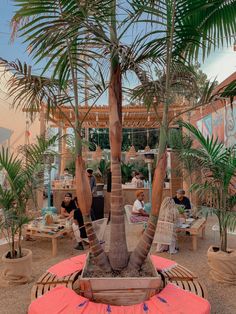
x=197 y=227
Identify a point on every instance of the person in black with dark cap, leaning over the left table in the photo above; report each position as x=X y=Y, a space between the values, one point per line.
x=70 y=210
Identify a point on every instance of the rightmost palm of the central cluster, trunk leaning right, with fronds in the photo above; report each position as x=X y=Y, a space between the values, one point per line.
x=185 y=28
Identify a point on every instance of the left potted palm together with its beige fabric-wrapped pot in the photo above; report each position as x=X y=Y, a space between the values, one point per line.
x=22 y=177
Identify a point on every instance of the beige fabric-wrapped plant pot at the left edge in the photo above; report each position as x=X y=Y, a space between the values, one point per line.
x=17 y=271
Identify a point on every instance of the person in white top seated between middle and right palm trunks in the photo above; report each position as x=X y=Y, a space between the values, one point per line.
x=138 y=211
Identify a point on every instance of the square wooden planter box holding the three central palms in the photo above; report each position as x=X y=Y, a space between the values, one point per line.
x=120 y=290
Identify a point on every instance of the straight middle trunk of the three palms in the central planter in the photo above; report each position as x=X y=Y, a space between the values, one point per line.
x=118 y=253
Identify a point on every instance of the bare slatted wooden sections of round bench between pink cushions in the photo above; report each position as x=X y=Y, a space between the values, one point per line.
x=178 y=275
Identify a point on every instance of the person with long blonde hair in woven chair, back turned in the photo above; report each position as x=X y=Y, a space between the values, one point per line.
x=168 y=213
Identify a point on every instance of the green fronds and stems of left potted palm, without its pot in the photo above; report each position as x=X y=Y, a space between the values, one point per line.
x=22 y=176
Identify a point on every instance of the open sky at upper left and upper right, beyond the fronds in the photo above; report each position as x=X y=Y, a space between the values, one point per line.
x=219 y=65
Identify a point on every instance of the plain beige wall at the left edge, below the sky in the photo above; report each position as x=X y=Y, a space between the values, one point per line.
x=12 y=119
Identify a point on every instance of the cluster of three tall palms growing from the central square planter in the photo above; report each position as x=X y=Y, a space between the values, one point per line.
x=174 y=34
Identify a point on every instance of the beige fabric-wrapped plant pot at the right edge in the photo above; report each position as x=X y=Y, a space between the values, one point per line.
x=222 y=265
